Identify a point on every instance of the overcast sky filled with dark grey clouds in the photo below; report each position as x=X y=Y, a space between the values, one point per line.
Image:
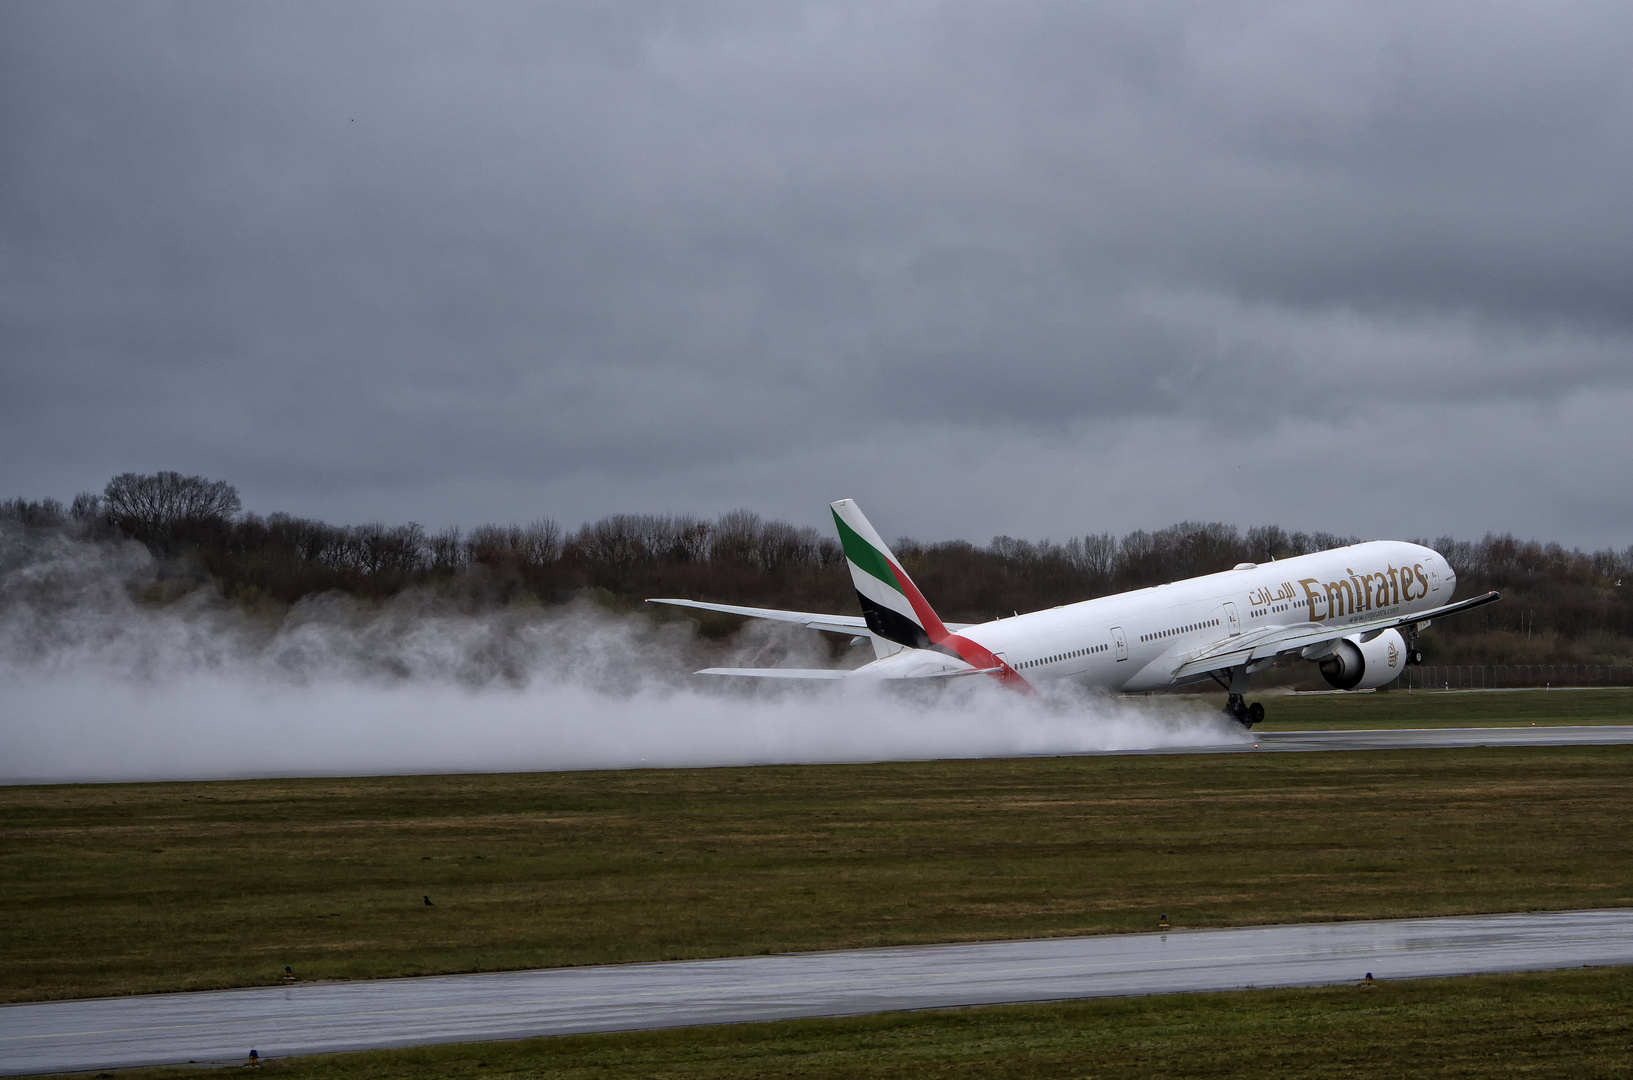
x=1013 y=269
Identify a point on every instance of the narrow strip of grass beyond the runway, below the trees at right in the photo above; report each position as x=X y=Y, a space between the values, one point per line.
x=1436 y=708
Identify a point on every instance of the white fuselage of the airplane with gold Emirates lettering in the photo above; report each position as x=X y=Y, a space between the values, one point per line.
x=1139 y=641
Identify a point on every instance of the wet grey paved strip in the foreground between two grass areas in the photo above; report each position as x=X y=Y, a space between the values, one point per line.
x=280 y=1022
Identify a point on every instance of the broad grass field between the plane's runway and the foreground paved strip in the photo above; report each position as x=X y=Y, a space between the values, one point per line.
x=135 y=888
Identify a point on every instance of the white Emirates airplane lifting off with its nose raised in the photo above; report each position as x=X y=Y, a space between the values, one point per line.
x=1353 y=612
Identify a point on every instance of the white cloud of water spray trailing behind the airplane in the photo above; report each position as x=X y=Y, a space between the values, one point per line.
x=96 y=687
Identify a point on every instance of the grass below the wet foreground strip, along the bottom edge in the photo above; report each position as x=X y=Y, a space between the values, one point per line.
x=1572 y=1024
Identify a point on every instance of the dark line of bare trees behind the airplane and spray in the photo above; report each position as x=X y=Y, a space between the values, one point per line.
x=1564 y=607
